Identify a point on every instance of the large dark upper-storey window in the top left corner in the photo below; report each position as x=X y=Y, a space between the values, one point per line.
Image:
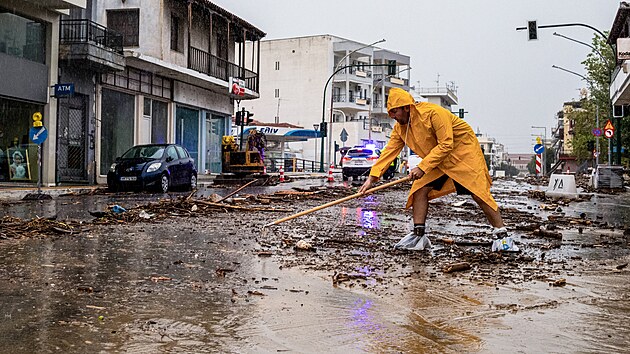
x=22 y=37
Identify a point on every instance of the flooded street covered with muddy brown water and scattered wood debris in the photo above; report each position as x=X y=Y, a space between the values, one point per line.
x=219 y=282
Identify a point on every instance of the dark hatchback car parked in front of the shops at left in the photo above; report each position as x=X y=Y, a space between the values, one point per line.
x=154 y=166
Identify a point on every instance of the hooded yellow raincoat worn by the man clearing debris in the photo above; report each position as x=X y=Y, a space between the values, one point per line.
x=446 y=143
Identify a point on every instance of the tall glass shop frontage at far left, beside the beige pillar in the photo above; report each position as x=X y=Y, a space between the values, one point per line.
x=23 y=91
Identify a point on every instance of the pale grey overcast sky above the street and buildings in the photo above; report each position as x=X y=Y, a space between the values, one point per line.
x=504 y=81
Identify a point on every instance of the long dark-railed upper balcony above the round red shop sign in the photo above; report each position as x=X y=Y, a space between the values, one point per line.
x=211 y=65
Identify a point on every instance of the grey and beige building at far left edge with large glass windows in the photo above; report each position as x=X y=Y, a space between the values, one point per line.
x=29 y=45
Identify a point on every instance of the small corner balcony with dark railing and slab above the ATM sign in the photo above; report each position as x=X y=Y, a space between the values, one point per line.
x=97 y=46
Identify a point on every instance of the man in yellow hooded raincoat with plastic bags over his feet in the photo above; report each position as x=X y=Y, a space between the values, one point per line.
x=452 y=161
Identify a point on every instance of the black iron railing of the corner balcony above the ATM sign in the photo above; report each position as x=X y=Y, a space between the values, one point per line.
x=86 y=31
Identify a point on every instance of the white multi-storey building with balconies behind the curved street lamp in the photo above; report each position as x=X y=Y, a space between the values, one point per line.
x=300 y=88
